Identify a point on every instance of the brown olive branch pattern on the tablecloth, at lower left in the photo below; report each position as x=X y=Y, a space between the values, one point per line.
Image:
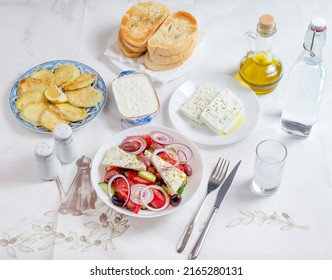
x=102 y=225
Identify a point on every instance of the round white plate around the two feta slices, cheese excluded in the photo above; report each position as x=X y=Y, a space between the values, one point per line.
x=201 y=133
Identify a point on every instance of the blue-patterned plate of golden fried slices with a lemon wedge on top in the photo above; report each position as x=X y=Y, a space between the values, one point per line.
x=56 y=92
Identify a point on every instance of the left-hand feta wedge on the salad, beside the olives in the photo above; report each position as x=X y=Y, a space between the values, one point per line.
x=118 y=157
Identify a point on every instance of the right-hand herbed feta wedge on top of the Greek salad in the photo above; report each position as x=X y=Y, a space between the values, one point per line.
x=173 y=177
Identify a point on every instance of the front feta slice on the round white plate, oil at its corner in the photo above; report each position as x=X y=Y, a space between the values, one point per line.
x=223 y=113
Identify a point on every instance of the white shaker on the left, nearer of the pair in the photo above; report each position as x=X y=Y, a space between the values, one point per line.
x=48 y=164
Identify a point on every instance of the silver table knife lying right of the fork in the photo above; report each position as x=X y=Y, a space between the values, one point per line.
x=221 y=194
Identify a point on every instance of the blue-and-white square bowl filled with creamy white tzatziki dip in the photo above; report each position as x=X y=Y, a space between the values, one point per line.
x=136 y=97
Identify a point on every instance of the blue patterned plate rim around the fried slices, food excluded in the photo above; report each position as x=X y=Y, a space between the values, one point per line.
x=92 y=112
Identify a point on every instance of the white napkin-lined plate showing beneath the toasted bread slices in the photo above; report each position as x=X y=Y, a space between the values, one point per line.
x=122 y=62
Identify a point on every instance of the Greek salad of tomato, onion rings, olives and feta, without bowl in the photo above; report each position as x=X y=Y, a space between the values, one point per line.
x=147 y=172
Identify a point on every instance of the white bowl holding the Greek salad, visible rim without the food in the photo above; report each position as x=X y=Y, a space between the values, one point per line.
x=98 y=170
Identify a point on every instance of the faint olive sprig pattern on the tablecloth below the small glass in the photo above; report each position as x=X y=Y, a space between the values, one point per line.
x=285 y=222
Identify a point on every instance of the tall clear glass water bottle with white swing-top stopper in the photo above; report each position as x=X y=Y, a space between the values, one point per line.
x=305 y=83
